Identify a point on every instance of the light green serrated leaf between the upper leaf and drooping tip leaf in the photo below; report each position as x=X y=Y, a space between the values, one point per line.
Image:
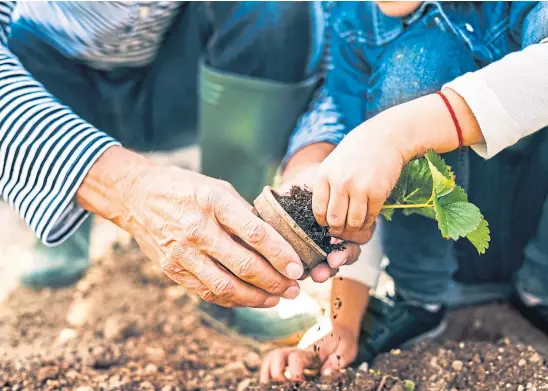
x=456 y=219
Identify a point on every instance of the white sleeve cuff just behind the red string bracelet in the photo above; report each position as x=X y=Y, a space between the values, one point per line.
x=498 y=127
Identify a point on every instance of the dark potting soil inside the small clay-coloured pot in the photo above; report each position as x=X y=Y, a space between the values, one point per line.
x=298 y=204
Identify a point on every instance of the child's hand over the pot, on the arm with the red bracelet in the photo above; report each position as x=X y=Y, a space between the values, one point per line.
x=355 y=180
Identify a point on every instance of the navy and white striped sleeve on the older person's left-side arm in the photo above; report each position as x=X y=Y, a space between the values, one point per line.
x=45 y=149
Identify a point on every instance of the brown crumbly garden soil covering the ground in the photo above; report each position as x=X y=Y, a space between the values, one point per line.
x=127 y=327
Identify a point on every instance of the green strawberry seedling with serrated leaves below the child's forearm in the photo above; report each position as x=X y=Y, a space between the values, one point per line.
x=427 y=187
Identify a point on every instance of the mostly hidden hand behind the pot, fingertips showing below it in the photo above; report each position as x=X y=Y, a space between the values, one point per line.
x=322 y=272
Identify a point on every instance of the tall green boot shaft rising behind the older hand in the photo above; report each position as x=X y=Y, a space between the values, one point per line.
x=245 y=124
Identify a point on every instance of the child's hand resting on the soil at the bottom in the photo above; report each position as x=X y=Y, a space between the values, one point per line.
x=334 y=351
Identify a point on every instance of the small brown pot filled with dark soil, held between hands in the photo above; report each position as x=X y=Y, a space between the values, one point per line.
x=291 y=215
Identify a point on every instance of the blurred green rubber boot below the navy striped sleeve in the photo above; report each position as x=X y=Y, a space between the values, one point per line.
x=59 y=266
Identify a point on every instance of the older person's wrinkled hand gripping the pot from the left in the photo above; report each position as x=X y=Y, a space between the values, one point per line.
x=198 y=229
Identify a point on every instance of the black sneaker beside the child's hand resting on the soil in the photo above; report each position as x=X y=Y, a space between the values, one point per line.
x=395 y=323
